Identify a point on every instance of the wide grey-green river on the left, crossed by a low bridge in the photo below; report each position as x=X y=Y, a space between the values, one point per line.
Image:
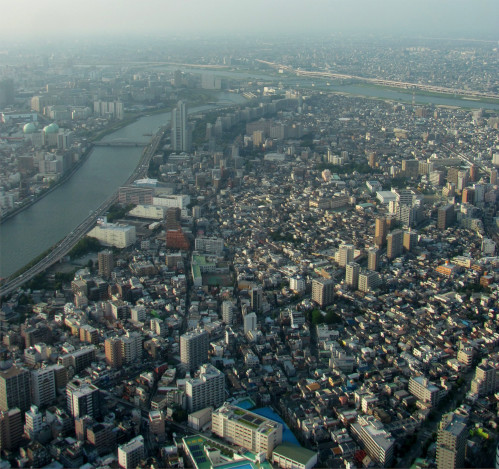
x=34 y=230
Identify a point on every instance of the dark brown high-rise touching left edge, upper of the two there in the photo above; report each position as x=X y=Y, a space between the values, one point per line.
x=15 y=389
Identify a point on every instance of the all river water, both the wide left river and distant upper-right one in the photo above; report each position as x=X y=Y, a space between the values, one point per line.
x=34 y=230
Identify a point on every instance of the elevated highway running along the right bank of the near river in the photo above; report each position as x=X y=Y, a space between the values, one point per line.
x=62 y=248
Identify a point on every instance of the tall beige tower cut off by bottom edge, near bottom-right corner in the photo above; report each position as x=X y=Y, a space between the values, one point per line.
x=451 y=442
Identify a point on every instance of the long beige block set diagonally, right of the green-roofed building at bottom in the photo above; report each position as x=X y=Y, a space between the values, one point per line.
x=376 y=441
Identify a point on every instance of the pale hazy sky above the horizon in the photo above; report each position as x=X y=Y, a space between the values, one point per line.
x=459 y=18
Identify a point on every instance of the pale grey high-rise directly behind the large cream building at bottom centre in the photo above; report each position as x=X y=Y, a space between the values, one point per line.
x=205 y=390
